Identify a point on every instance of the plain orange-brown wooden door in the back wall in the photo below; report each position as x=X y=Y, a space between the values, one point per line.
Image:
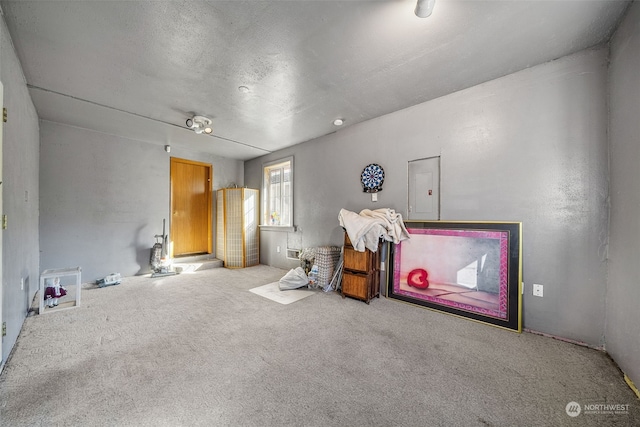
x=190 y=207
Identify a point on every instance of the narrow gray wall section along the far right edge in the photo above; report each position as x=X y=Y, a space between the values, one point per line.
x=623 y=292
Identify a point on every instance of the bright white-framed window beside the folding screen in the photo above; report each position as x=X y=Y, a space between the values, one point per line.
x=277 y=193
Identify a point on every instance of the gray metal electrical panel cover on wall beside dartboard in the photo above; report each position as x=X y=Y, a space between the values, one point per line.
x=424 y=189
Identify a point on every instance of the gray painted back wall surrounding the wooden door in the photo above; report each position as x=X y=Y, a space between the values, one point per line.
x=104 y=197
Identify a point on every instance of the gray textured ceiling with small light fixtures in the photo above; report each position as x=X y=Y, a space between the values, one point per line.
x=139 y=69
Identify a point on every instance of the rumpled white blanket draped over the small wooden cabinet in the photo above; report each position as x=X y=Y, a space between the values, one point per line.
x=366 y=228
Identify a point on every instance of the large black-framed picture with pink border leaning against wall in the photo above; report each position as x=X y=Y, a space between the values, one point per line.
x=468 y=269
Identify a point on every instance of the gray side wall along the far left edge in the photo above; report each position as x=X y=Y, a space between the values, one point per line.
x=20 y=194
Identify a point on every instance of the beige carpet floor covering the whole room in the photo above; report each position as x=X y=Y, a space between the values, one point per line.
x=202 y=350
